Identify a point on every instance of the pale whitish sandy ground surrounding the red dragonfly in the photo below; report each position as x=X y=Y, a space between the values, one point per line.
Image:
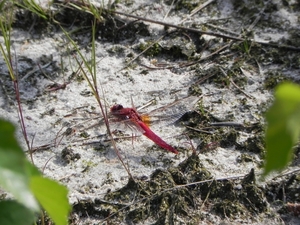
x=88 y=165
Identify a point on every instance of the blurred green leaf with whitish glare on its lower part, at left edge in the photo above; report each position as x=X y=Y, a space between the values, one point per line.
x=14 y=167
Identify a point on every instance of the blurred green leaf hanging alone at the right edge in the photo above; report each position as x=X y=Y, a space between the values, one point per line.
x=283 y=127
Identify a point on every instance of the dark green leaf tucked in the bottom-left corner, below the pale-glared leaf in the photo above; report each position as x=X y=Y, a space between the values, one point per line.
x=12 y=212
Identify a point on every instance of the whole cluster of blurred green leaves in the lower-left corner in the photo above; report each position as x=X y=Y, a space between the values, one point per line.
x=29 y=188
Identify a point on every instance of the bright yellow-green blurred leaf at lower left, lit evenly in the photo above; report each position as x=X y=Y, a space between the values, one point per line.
x=53 y=197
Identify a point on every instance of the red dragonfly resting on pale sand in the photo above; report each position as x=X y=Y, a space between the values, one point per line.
x=142 y=121
